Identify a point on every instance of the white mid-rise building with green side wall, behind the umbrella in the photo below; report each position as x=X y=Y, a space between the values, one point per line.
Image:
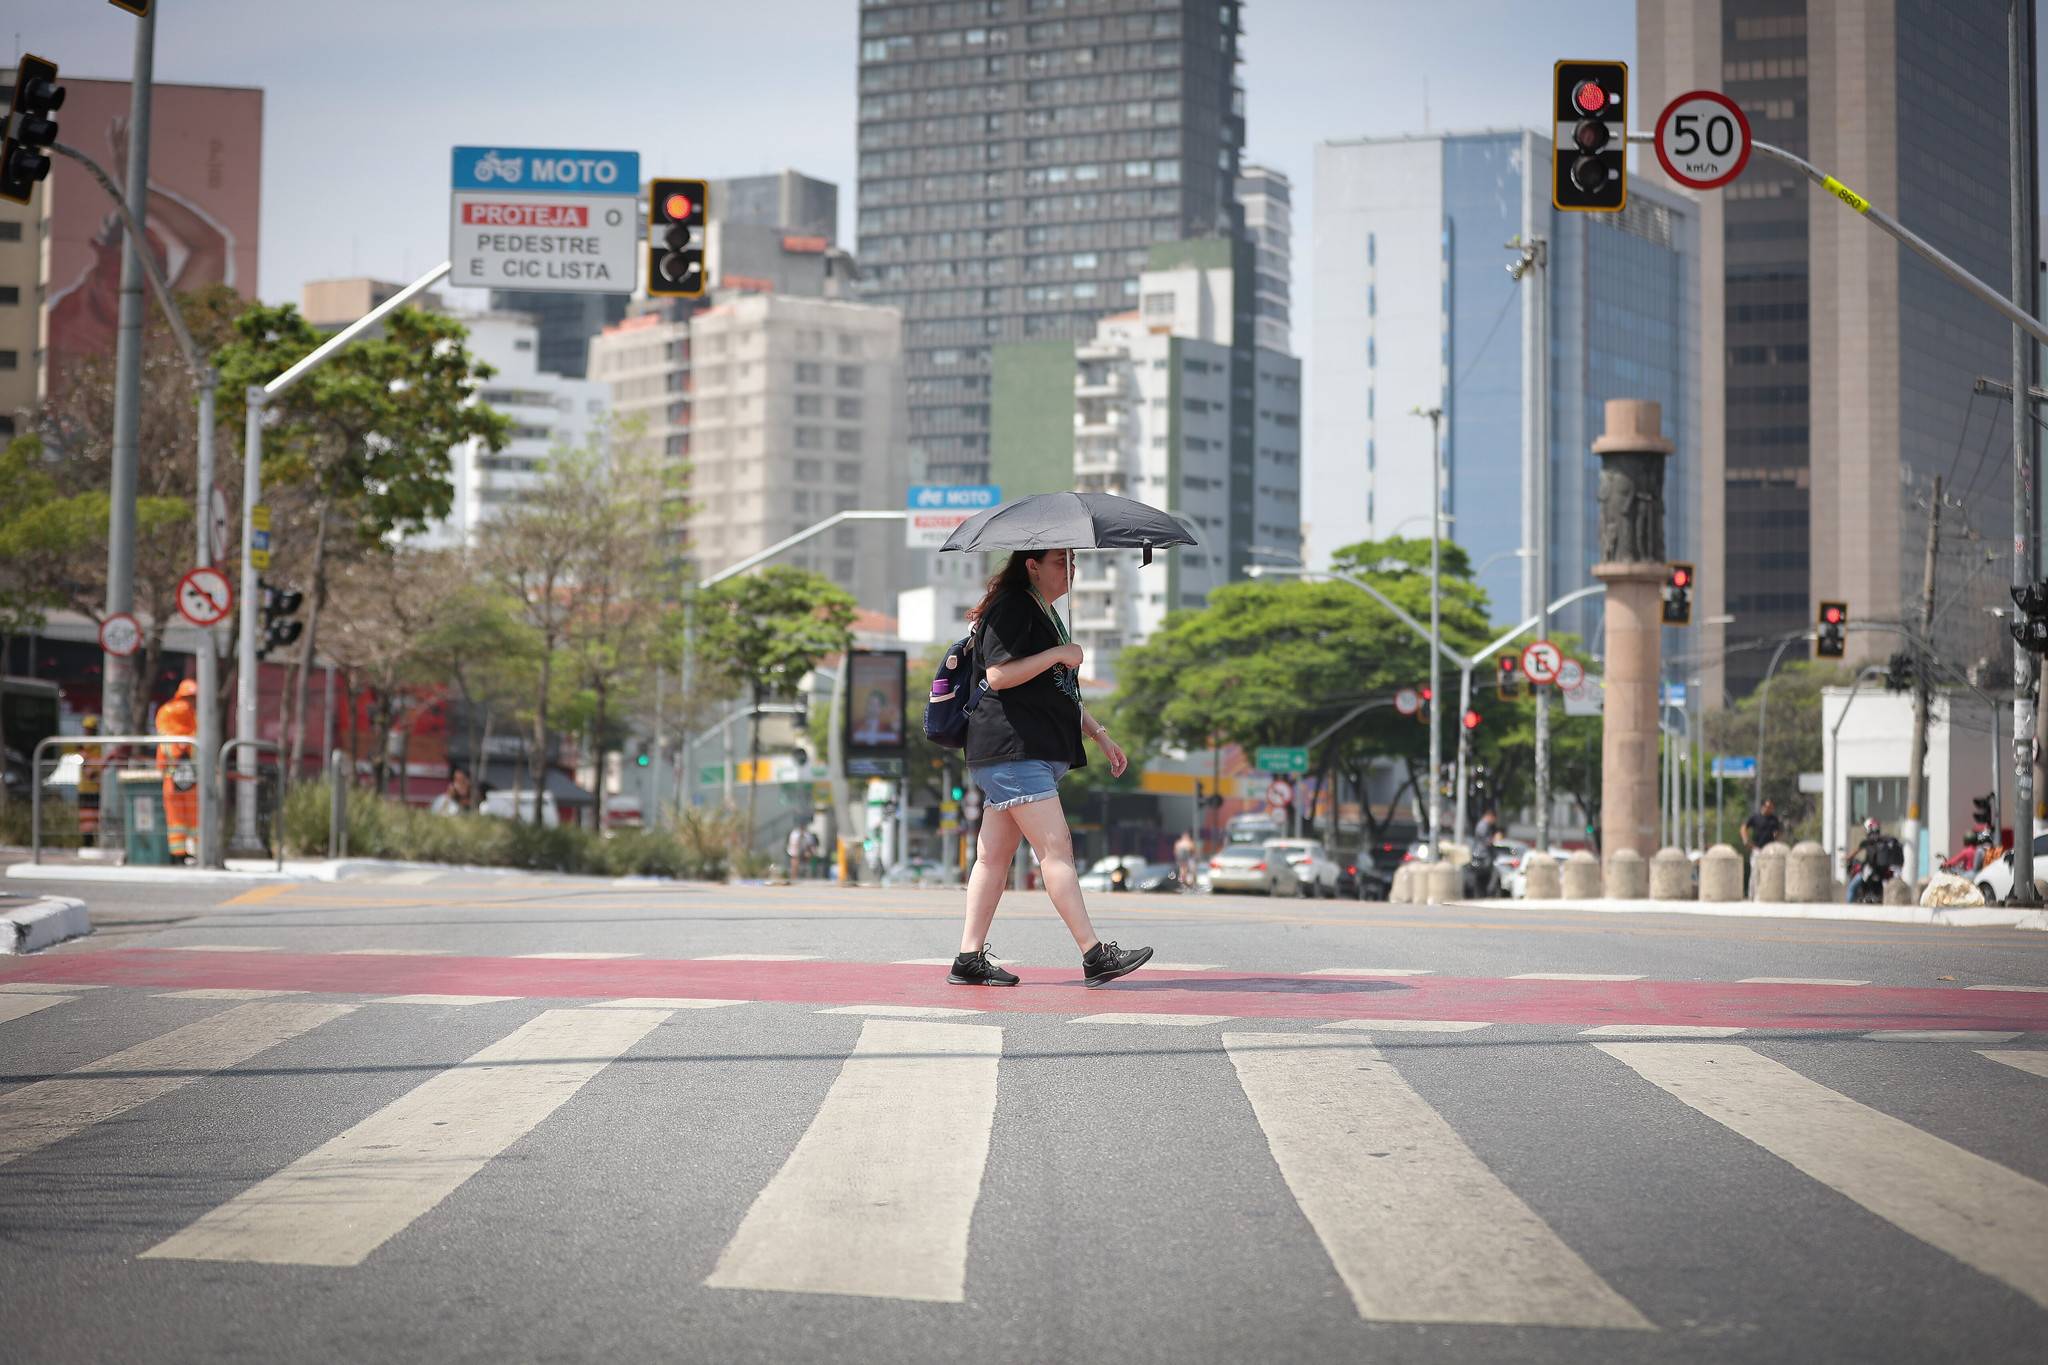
x=1146 y=410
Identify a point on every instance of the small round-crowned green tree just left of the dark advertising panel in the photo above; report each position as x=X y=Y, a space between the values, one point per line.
x=765 y=631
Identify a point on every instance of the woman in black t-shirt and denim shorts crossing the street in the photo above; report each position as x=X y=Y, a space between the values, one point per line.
x=1023 y=738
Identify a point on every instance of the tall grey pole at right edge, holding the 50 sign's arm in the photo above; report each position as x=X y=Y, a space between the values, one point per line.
x=2026 y=672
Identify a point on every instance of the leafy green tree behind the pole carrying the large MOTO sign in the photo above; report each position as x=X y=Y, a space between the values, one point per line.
x=364 y=439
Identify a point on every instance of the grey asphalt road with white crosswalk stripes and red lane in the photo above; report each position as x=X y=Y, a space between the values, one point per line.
x=503 y=1118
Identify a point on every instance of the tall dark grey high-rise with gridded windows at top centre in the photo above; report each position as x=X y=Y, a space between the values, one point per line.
x=1017 y=163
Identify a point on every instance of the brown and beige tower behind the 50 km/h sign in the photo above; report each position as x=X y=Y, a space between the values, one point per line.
x=1838 y=365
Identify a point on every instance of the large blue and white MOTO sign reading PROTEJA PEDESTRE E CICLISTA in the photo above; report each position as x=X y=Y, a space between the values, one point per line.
x=544 y=220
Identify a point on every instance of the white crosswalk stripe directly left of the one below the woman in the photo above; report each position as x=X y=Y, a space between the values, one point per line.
x=353 y=1194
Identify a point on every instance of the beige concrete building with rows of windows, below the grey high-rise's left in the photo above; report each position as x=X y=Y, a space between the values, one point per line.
x=787 y=410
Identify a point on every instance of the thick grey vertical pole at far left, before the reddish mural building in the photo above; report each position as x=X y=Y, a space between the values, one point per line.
x=118 y=672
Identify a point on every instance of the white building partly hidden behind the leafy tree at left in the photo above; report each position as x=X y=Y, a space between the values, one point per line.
x=548 y=412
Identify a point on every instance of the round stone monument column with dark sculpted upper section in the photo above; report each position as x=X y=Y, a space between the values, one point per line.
x=1633 y=568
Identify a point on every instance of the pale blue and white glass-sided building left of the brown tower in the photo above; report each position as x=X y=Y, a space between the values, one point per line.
x=1416 y=312
